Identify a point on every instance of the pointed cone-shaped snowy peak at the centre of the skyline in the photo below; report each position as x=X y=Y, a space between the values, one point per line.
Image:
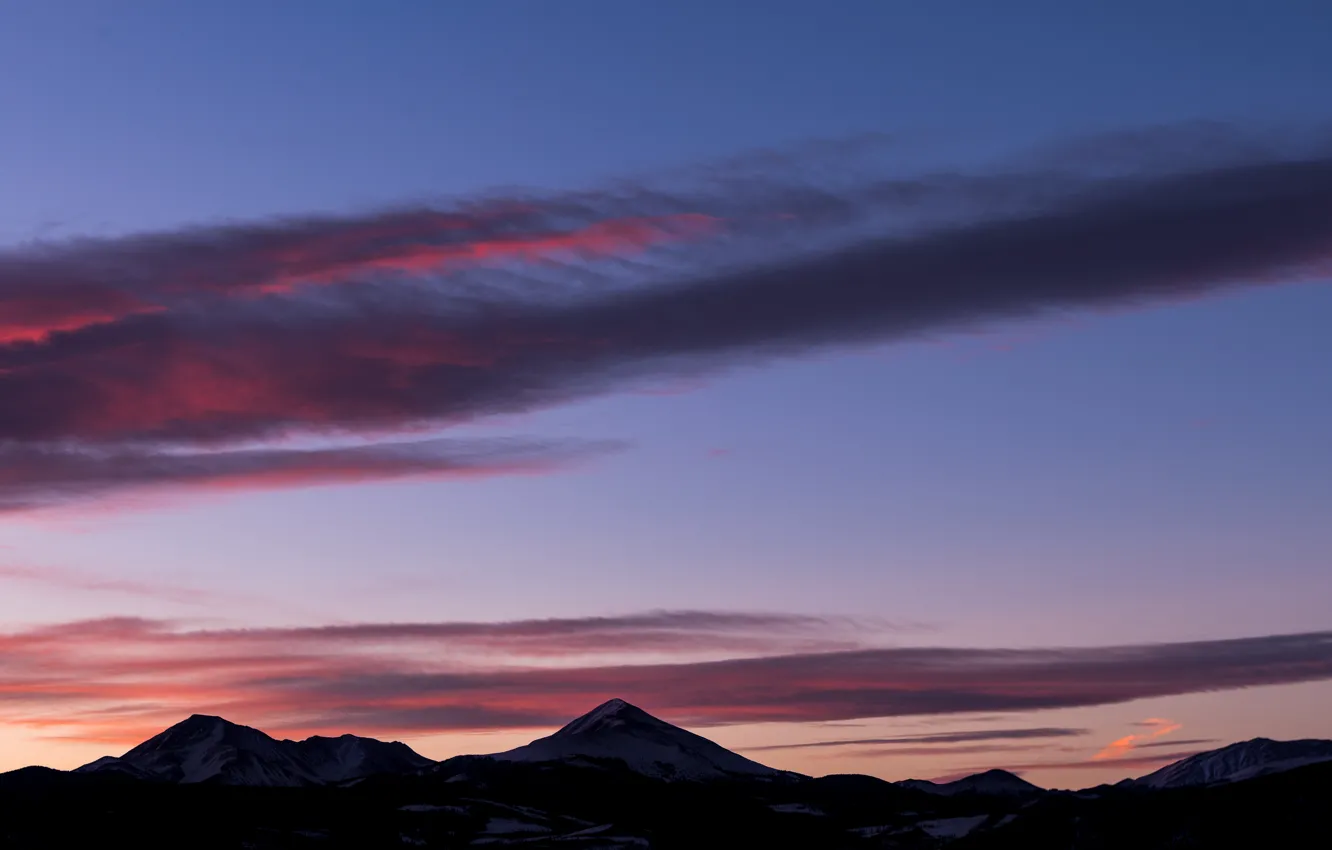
x=620 y=732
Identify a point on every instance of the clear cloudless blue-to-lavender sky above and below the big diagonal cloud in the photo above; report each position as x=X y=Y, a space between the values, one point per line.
x=1157 y=475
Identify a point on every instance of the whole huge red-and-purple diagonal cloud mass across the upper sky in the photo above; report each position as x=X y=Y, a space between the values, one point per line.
x=210 y=339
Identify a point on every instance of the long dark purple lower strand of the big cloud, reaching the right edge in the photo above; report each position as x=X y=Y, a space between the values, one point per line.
x=382 y=358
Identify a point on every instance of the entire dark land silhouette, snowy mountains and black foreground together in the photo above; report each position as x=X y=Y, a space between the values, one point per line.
x=619 y=777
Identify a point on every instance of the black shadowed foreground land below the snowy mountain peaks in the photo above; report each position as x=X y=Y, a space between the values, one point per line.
x=479 y=803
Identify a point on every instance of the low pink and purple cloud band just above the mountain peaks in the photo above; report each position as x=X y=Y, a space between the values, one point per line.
x=692 y=668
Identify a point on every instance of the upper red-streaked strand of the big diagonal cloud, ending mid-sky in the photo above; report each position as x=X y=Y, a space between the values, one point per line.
x=90 y=283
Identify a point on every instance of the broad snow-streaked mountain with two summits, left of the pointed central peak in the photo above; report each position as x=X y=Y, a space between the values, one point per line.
x=211 y=749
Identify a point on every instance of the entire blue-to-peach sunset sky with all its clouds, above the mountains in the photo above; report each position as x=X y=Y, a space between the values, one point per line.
x=873 y=387
